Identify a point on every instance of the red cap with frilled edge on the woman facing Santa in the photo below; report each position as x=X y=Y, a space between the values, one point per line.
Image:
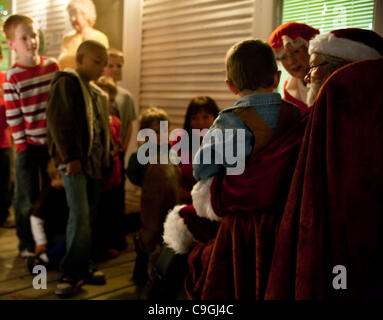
x=297 y=34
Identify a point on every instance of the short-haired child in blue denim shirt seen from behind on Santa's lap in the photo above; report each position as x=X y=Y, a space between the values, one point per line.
x=252 y=74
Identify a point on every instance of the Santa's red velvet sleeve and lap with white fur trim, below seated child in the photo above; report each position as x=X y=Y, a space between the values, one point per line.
x=230 y=228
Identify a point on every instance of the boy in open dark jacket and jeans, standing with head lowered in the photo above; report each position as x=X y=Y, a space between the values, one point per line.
x=79 y=140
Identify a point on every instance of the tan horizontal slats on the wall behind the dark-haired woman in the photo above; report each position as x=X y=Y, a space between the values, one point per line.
x=184 y=44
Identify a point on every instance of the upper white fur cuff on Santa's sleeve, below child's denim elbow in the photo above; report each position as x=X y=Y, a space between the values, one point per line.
x=201 y=196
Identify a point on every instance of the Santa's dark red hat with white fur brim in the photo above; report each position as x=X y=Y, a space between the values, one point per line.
x=351 y=44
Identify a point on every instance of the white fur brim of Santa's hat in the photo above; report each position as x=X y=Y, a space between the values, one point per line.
x=343 y=48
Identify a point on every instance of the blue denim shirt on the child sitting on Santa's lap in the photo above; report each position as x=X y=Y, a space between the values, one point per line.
x=267 y=105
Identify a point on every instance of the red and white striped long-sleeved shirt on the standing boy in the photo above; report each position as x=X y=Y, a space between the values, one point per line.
x=25 y=94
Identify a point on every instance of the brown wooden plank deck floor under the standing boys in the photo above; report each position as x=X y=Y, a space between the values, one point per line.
x=16 y=281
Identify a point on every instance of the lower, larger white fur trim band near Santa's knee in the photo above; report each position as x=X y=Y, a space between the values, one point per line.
x=176 y=234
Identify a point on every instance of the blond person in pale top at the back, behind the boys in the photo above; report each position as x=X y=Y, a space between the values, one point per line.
x=82 y=15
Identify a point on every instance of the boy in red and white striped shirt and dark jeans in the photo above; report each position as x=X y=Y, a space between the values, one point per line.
x=25 y=93
